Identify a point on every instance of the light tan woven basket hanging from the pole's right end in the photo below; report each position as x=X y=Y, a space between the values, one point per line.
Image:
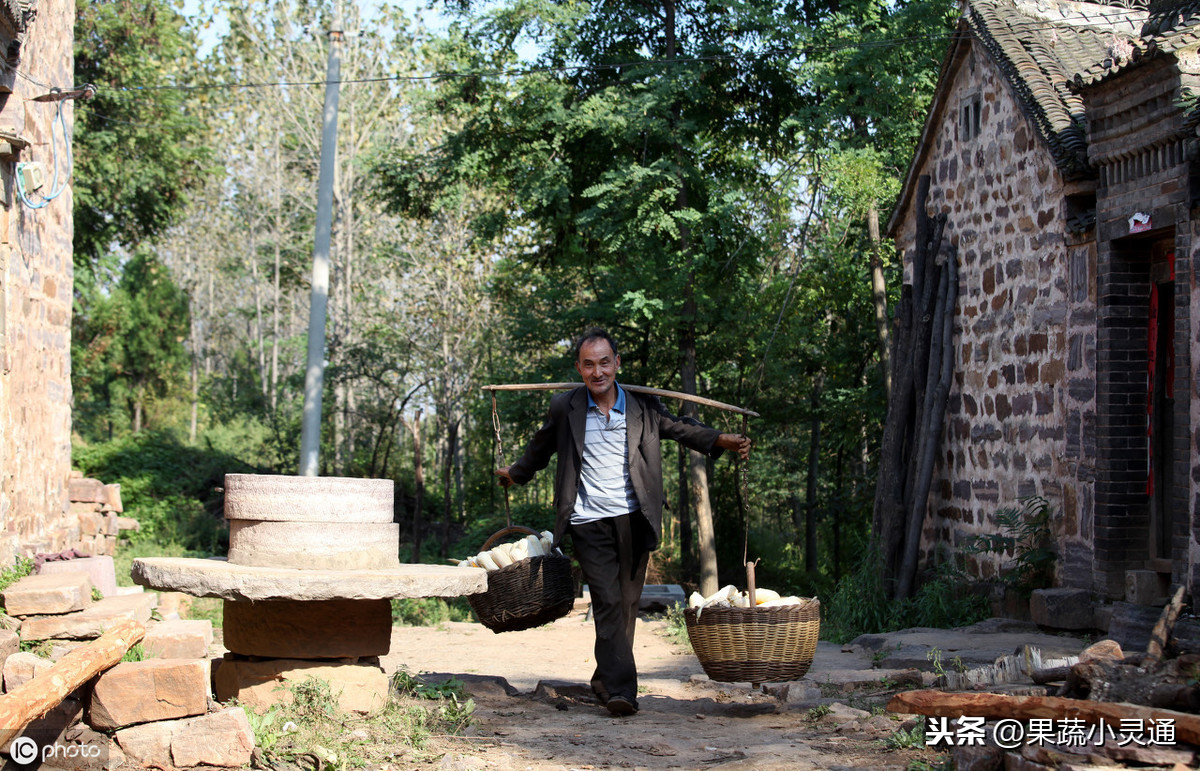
x=755 y=644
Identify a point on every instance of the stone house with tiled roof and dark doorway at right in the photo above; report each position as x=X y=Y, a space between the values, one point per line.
x=1063 y=147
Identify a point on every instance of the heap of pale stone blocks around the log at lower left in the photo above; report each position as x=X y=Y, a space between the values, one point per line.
x=154 y=712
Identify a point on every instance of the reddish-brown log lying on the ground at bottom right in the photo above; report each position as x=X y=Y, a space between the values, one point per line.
x=994 y=706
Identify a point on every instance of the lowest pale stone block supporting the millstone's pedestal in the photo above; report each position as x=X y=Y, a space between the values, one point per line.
x=358 y=688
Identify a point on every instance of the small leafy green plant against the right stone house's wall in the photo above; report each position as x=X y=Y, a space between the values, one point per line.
x=1025 y=535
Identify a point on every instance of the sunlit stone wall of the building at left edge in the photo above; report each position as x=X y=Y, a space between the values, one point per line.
x=35 y=304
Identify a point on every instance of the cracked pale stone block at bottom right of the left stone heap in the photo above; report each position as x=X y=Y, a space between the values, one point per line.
x=221 y=739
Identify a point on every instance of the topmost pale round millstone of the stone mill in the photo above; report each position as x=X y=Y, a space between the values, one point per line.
x=263 y=498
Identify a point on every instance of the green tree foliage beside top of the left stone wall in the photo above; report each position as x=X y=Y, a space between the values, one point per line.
x=137 y=147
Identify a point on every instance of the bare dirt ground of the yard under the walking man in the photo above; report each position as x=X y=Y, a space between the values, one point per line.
x=535 y=710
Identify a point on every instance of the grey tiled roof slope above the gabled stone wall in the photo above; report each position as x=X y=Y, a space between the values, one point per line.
x=1040 y=46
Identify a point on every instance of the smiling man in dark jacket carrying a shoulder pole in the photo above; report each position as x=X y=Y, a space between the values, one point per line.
x=609 y=497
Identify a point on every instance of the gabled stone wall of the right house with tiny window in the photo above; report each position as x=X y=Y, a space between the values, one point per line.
x=1021 y=419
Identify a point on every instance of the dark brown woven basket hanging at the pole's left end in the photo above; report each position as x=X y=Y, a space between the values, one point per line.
x=526 y=594
